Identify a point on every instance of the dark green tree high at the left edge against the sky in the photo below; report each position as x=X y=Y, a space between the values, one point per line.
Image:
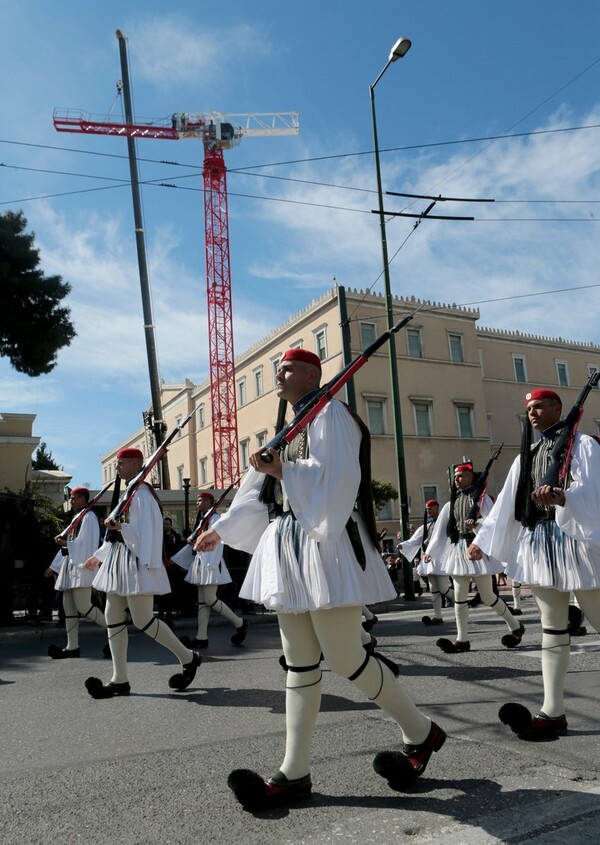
x=33 y=323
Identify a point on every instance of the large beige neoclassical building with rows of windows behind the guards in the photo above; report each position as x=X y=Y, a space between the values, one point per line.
x=462 y=390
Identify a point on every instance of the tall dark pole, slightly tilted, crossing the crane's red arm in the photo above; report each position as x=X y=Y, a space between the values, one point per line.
x=158 y=422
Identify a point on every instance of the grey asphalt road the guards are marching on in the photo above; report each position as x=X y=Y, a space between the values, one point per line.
x=152 y=768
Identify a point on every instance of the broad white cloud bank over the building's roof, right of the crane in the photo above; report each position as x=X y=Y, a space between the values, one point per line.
x=460 y=262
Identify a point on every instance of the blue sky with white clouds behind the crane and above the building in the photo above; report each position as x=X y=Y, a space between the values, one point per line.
x=299 y=208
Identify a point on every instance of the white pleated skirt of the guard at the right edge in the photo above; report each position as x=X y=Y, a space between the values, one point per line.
x=547 y=557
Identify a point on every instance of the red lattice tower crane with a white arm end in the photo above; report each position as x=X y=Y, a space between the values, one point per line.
x=217 y=132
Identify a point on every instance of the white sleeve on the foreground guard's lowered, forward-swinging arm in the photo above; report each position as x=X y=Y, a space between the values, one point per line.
x=242 y=526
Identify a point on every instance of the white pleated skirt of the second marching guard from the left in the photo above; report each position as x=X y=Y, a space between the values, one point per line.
x=122 y=573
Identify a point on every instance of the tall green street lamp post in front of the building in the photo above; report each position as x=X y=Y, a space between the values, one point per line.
x=400 y=49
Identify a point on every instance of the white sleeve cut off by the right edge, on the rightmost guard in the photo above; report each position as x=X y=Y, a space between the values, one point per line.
x=580 y=516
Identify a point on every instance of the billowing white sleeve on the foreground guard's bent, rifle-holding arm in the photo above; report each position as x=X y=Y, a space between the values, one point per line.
x=322 y=489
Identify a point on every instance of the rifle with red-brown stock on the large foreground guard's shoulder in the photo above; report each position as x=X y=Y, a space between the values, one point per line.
x=326 y=393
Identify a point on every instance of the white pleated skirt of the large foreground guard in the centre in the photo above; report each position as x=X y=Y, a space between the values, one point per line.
x=292 y=573
